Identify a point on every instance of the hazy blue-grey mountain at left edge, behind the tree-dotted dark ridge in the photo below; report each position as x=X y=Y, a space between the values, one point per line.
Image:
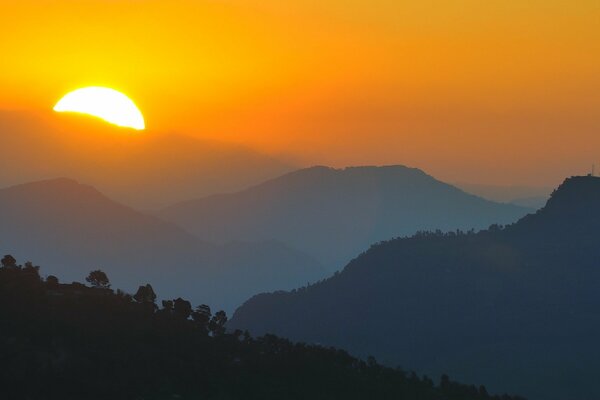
x=67 y=226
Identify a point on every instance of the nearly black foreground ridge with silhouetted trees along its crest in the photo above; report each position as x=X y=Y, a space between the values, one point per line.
x=71 y=341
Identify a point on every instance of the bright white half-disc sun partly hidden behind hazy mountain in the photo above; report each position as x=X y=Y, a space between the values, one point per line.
x=105 y=103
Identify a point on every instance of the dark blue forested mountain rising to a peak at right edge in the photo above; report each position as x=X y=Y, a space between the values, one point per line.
x=515 y=308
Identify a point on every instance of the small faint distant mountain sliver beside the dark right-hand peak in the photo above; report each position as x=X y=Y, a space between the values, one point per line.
x=533 y=197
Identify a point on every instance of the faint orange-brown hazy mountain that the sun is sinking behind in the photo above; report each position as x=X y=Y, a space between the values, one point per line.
x=146 y=169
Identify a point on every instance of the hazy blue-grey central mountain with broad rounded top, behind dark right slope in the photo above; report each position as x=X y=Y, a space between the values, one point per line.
x=334 y=214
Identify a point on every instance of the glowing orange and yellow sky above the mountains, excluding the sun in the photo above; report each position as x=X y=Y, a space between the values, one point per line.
x=497 y=92
